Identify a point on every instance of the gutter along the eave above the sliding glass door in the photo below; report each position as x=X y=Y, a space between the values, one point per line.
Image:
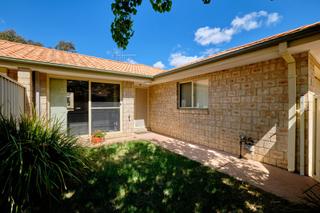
x=31 y=62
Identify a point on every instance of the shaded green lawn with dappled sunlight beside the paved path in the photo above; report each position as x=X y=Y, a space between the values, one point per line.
x=139 y=176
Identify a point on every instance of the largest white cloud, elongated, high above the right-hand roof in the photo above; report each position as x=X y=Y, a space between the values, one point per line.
x=216 y=35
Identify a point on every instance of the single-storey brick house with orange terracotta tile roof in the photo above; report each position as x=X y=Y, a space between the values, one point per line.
x=268 y=90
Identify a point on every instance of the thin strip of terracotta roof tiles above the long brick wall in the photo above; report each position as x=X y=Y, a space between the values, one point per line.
x=248 y=45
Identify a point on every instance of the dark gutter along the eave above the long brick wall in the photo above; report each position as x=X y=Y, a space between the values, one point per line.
x=273 y=42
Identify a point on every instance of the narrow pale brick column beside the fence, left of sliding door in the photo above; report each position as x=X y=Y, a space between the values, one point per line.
x=25 y=78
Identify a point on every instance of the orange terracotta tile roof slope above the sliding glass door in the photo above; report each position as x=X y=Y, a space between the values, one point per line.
x=56 y=57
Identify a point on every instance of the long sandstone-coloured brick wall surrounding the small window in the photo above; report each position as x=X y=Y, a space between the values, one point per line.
x=251 y=99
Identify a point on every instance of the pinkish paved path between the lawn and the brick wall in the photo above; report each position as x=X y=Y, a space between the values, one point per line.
x=269 y=178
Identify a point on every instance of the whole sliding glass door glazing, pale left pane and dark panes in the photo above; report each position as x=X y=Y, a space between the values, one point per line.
x=70 y=104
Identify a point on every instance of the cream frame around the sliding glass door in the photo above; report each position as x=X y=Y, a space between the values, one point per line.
x=89 y=101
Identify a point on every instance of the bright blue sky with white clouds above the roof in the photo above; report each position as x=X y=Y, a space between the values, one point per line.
x=190 y=31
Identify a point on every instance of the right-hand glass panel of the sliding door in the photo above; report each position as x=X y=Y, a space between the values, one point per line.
x=105 y=107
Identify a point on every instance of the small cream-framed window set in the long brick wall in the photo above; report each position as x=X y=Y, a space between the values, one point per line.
x=194 y=94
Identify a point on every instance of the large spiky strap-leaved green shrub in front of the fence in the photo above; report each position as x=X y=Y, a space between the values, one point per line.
x=38 y=162
